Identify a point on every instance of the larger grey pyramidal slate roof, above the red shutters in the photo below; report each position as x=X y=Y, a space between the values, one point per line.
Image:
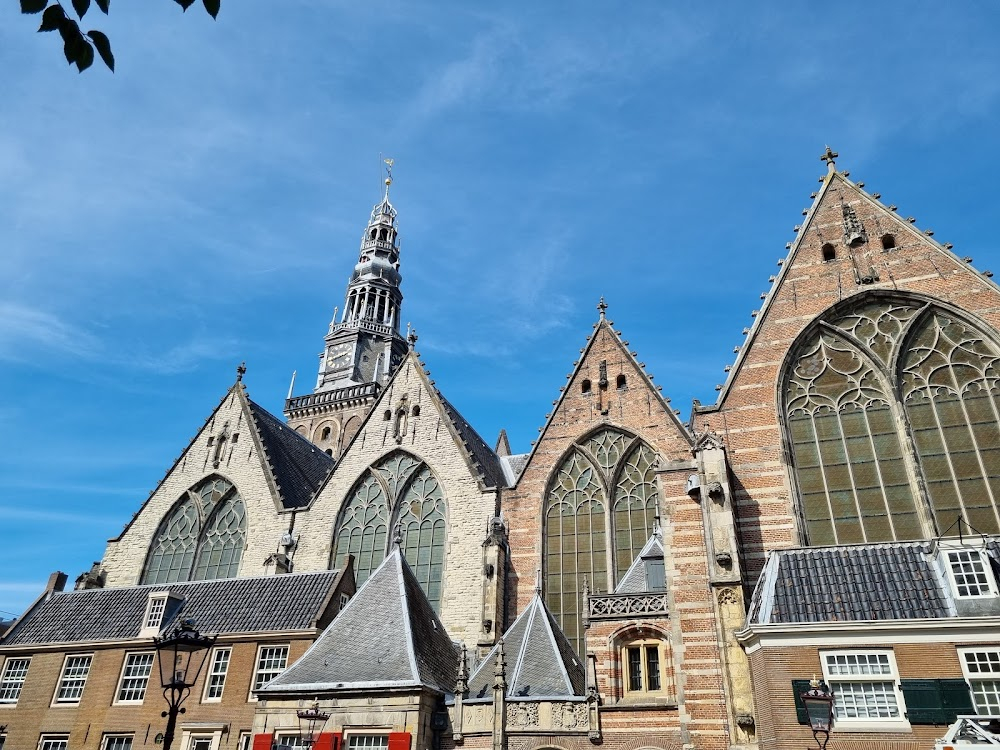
x=387 y=636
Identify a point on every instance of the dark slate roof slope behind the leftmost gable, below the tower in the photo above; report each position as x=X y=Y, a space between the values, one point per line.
x=299 y=467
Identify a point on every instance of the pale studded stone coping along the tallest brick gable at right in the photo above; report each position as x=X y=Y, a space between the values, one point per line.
x=828 y=180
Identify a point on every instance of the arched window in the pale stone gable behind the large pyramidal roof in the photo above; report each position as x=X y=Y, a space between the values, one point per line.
x=398 y=489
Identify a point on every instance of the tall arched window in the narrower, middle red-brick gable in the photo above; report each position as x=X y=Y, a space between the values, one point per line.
x=598 y=514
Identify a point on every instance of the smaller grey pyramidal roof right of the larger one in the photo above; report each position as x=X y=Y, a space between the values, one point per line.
x=541 y=662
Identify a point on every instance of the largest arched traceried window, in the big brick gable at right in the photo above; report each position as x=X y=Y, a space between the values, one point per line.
x=892 y=413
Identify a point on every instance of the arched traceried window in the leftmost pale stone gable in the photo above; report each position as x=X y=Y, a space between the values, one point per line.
x=208 y=525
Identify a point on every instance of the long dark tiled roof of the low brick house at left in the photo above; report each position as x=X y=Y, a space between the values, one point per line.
x=229 y=605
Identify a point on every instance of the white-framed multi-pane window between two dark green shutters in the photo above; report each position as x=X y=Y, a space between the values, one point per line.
x=865 y=685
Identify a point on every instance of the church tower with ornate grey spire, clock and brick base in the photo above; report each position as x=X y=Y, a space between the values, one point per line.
x=363 y=346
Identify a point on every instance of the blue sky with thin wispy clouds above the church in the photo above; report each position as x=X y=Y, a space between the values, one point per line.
x=204 y=204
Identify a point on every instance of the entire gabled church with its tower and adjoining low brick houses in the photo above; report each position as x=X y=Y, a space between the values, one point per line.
x=374 y=575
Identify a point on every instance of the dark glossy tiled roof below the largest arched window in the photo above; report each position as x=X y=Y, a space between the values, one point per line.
x=865 y=582
